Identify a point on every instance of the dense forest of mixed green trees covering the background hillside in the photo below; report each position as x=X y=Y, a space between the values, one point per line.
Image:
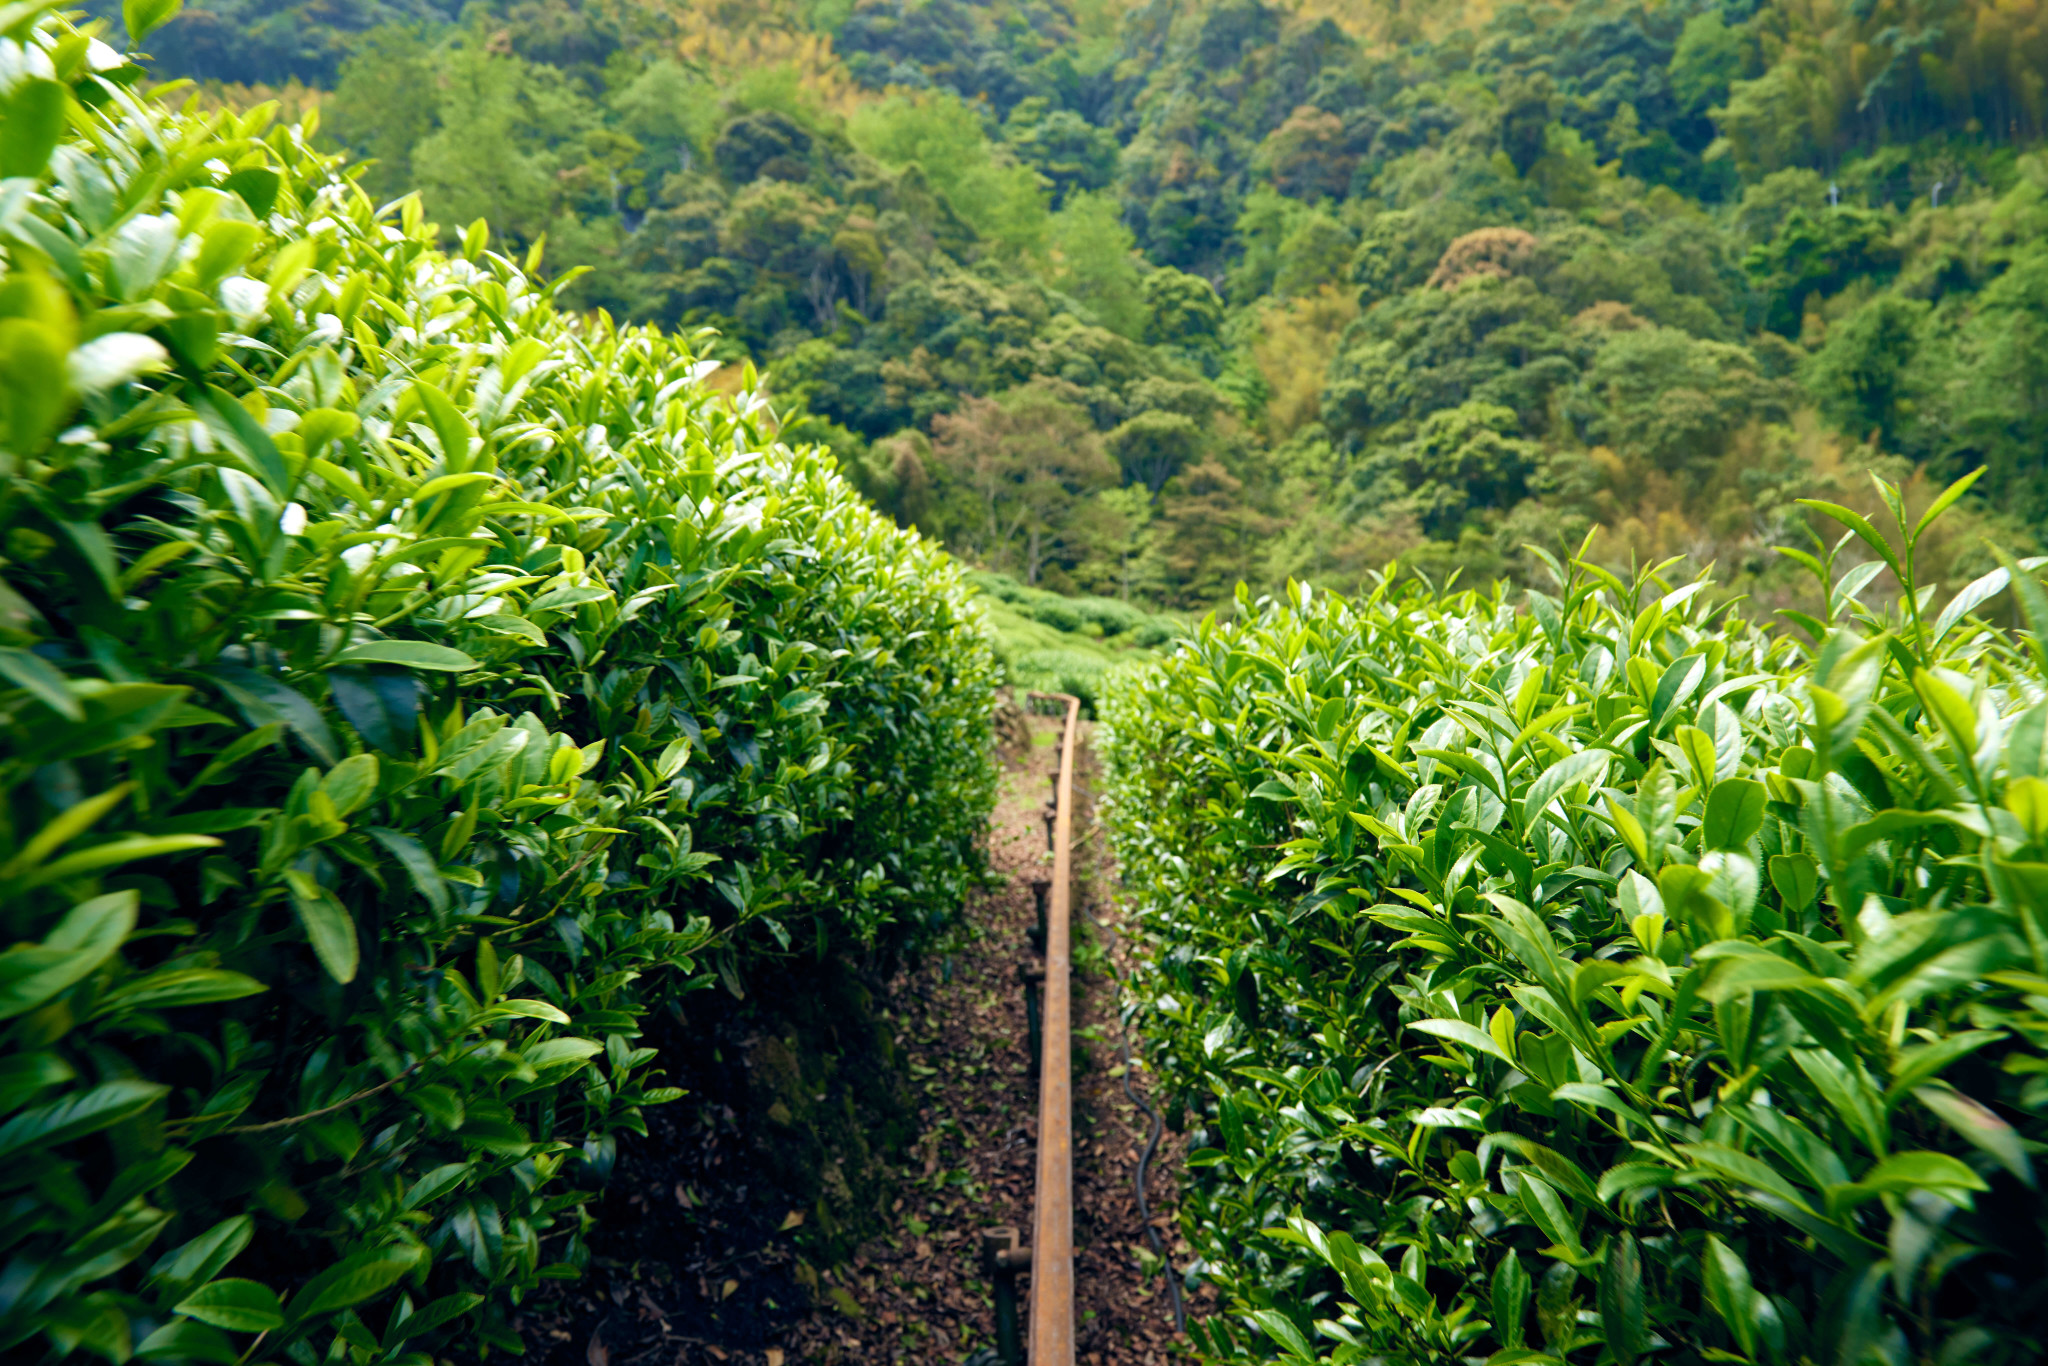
x=1146 y=300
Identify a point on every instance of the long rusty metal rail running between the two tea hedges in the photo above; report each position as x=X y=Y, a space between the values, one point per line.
x=1052 y=1246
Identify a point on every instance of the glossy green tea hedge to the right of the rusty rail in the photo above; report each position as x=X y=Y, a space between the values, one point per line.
x=1605 y=978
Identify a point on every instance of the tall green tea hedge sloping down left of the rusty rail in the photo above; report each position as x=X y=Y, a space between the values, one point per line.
x=407 y=689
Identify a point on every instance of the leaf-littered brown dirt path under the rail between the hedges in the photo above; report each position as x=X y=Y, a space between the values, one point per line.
x=699 y=1261
